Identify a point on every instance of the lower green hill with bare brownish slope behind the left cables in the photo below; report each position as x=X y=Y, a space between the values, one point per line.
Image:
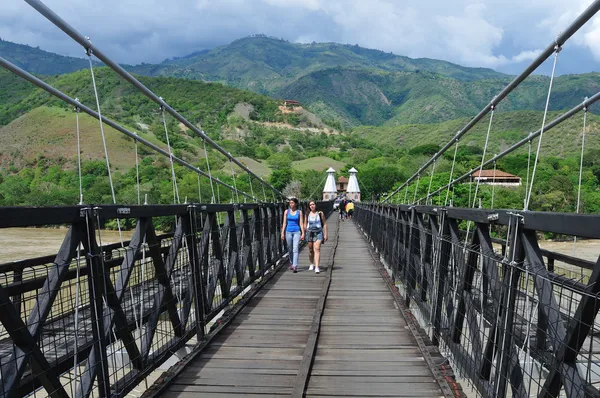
x=34 y=125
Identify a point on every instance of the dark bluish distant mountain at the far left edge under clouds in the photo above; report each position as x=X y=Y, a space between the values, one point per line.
x=40 y=62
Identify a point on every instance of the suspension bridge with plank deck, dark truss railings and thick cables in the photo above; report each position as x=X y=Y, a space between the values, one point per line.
x=417 y=297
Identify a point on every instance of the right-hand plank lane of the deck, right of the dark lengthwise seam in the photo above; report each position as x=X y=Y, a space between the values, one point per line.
x=365 y=348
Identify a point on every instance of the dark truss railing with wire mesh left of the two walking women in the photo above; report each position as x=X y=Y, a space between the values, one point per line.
x=119 y=311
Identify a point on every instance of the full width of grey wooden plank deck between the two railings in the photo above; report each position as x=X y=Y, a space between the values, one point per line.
x=364 y=346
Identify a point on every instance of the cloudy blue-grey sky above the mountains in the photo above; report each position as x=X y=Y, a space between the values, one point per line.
x=501 y=34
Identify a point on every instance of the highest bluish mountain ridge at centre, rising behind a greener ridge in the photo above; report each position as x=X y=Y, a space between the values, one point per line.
x=265 y=64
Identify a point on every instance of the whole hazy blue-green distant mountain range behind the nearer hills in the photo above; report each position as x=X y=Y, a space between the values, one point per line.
x=346 y=85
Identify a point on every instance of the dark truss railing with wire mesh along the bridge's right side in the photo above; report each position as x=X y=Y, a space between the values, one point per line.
x=506 y=313
